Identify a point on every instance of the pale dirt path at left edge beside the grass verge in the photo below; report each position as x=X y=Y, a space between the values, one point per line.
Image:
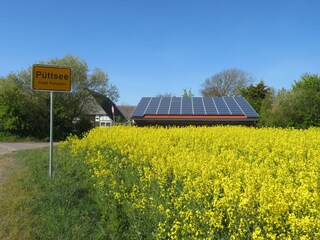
x=7 y=162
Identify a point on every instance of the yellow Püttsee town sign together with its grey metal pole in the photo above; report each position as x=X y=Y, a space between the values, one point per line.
x=51 y=79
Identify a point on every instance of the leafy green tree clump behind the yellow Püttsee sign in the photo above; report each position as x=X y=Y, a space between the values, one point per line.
x=26 y=112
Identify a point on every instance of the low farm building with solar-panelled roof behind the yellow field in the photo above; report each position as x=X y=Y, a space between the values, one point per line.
x=182 y=111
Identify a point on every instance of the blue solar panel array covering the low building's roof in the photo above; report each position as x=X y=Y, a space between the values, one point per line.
x=219 y=106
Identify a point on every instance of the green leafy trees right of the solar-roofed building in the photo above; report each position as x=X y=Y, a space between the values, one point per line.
x=297 y=107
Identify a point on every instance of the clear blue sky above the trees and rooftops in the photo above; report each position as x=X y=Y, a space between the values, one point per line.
x=149 y=47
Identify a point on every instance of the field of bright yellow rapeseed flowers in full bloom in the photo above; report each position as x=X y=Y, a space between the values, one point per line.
x=205 y=182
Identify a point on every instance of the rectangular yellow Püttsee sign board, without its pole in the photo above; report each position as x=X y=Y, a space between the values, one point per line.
x=51 y=78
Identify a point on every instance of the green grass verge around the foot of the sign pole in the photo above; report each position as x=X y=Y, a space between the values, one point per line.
x=33 y=206
